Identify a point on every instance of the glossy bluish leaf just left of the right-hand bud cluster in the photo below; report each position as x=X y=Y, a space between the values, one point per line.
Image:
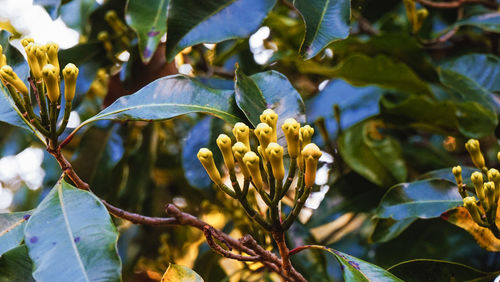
x=419 y=199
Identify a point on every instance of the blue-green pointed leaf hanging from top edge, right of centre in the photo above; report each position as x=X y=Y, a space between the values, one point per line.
x=326 y=21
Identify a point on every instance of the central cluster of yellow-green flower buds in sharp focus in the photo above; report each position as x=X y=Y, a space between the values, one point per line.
x=267 y=172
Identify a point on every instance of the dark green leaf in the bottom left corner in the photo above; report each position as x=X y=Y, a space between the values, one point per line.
x=16 y=265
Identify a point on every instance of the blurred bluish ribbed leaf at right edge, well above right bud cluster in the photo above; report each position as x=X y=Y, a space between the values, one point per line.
x=482 y=68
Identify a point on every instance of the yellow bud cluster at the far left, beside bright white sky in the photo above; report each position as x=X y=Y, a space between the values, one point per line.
x=44 y=87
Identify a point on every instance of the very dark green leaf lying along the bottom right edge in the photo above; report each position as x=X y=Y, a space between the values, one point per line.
x=439 y=270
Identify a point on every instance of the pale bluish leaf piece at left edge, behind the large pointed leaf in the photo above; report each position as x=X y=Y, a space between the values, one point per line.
x=12 y=229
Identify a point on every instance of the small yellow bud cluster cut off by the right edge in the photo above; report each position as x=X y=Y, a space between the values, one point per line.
x=482 y=209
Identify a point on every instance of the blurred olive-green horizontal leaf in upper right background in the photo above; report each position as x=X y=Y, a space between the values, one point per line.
x=381 y=70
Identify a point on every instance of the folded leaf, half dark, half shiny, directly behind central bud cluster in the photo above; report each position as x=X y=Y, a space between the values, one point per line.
x=265 y=90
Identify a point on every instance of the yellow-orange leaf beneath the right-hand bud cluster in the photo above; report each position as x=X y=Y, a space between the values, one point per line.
x=460 y=217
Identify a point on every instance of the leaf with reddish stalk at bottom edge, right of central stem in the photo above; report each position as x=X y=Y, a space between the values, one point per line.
x=355 y=269
